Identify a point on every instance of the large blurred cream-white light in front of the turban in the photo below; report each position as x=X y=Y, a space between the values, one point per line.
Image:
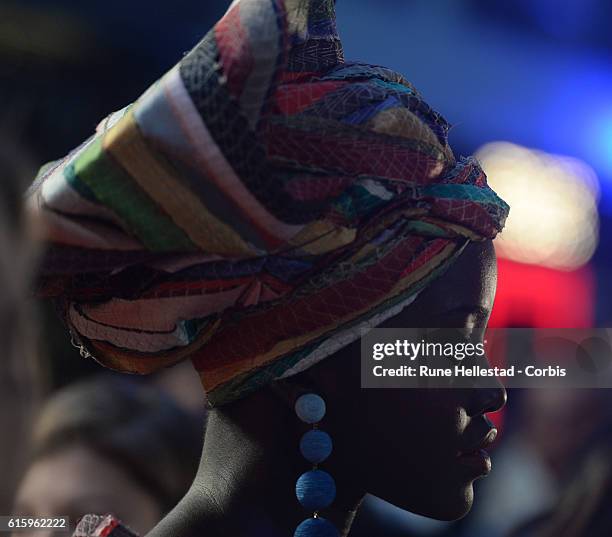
x=553 y=219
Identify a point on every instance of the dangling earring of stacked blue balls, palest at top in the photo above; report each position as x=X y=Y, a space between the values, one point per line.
x=315 y=489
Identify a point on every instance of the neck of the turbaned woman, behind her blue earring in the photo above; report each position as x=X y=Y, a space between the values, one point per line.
x=245 y=485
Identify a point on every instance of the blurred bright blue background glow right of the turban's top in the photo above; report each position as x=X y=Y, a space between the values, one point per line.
x=492 y=81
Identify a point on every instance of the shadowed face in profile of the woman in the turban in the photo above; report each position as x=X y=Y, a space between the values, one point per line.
x=419 y=449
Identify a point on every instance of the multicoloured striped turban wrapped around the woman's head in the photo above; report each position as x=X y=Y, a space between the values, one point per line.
x=257 y=208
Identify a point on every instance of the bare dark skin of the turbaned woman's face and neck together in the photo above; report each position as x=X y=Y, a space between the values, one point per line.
x=400 y=445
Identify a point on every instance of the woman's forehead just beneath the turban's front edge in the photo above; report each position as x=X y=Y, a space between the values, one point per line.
x=468 y=284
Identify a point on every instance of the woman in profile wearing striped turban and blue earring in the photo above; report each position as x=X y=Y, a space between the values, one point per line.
x=257 y=209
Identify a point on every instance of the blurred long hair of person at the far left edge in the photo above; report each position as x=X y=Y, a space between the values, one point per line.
x=18 y=379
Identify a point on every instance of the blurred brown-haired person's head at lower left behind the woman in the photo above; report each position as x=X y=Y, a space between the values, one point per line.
x=113 y=445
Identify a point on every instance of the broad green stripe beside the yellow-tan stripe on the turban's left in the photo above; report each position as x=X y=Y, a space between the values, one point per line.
x=115 y=189
